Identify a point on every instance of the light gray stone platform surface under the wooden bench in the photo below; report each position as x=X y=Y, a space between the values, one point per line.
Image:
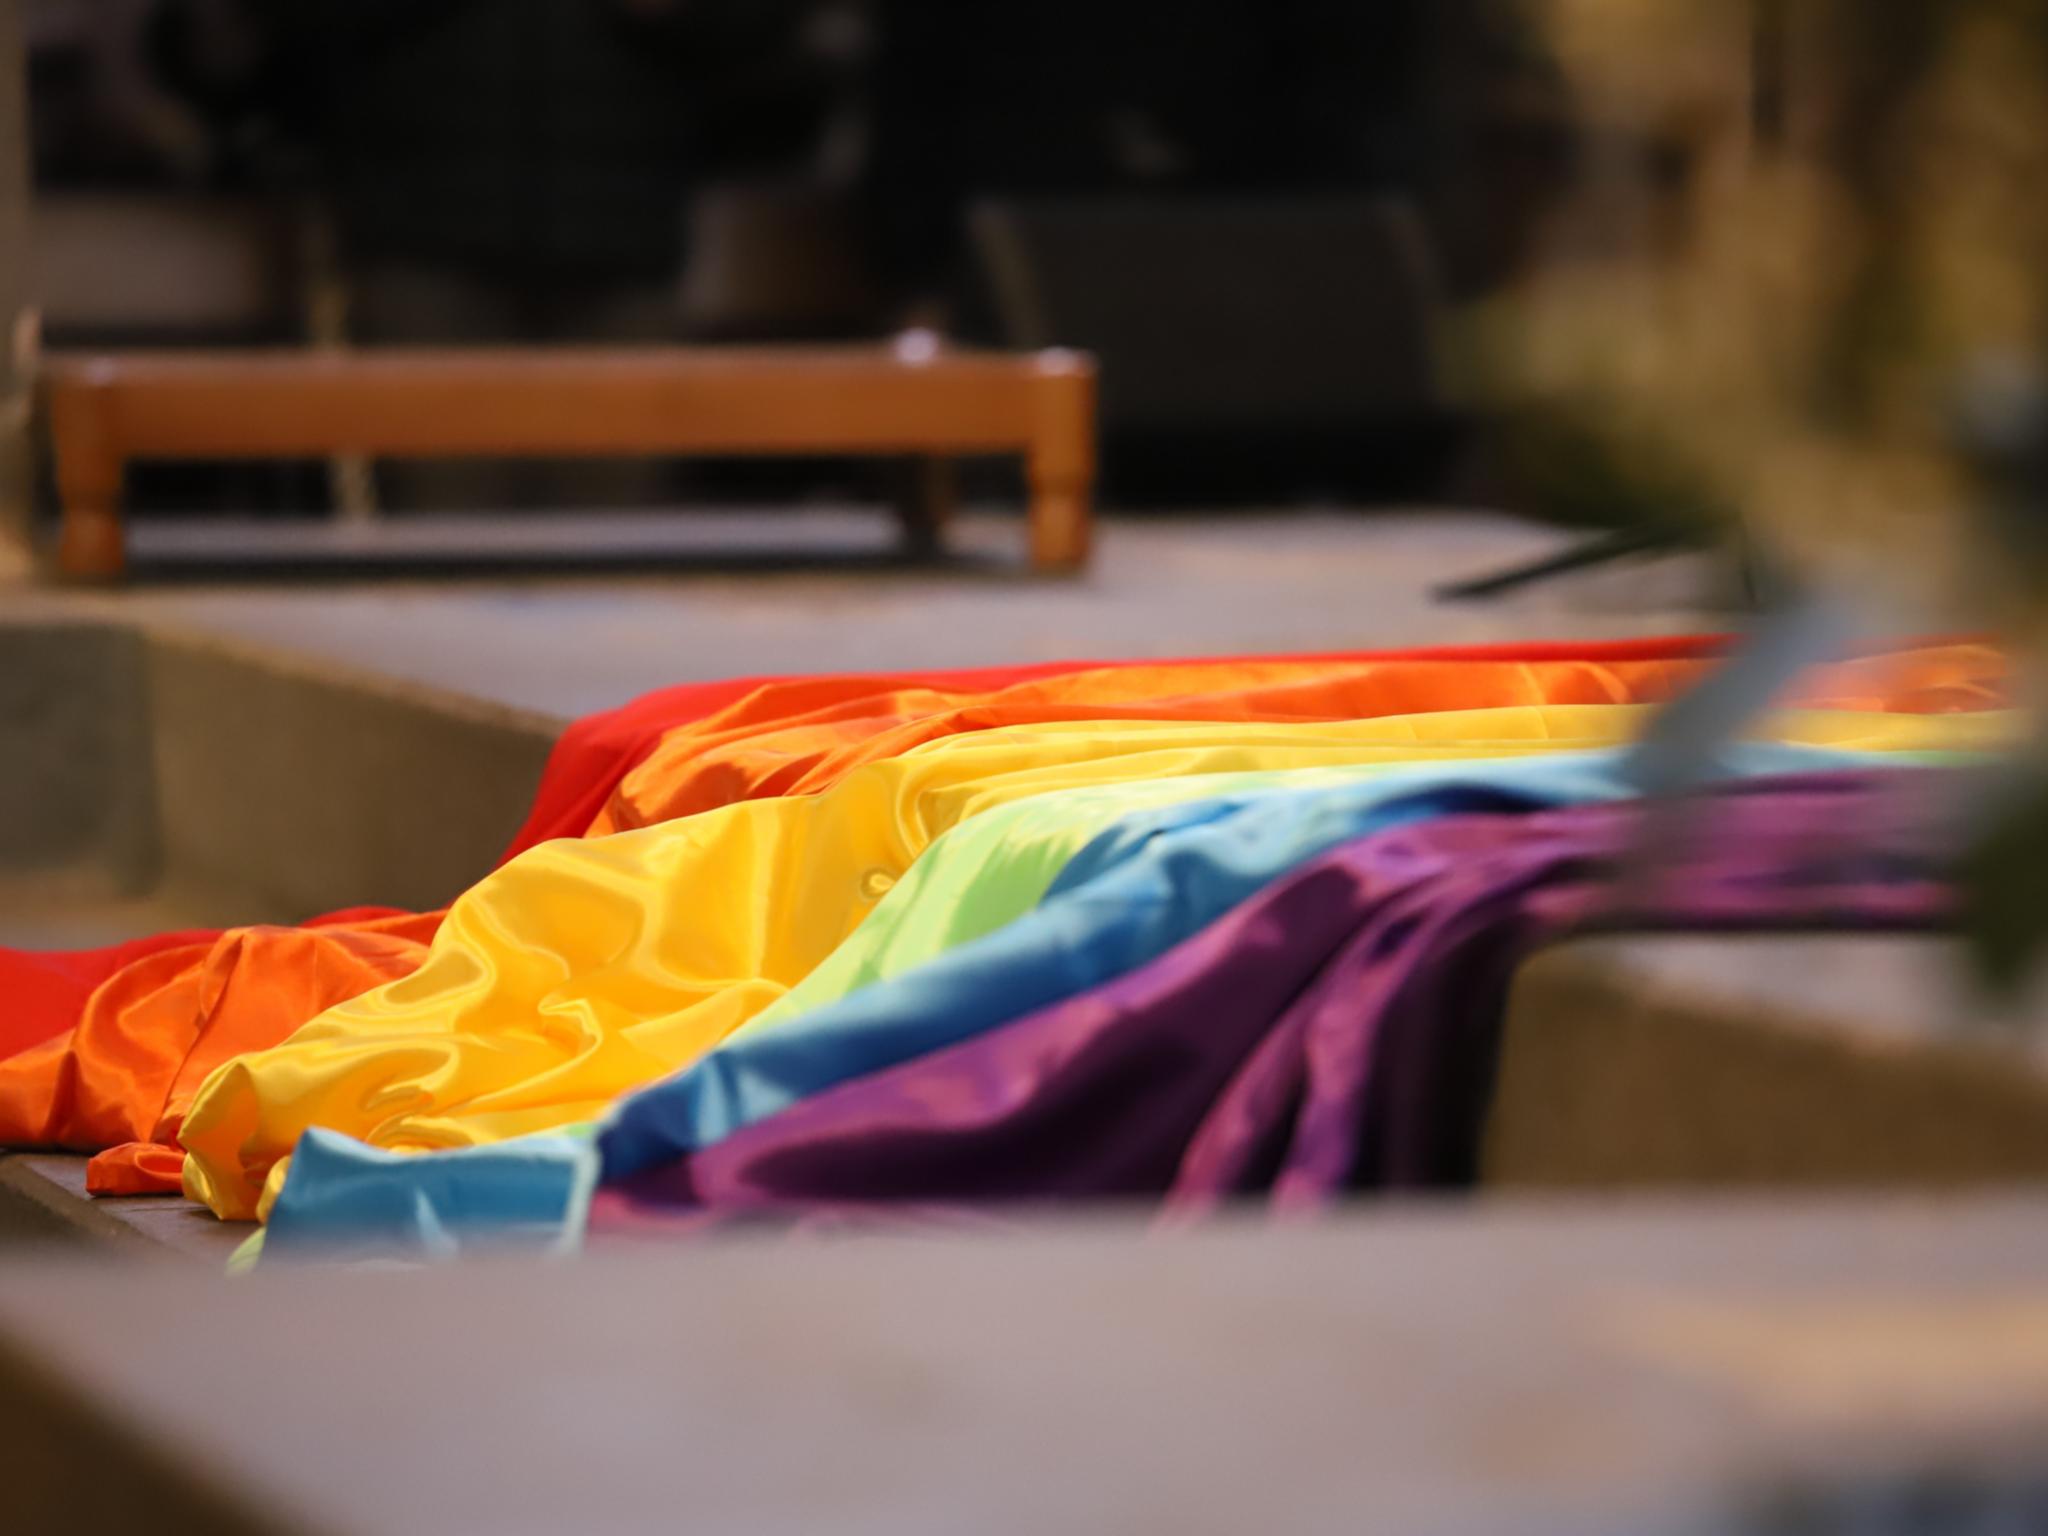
x=1160 y=587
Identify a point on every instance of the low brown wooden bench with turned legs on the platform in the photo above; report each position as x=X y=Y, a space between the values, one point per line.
x=501 y=402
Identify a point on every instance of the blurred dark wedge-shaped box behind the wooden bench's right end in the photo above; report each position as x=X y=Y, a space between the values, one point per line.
x=1254 y=325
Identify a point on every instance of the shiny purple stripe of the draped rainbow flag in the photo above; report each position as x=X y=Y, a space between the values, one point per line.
x=1334 y=1033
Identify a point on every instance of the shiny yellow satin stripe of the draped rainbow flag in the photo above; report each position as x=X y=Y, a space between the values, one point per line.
x=585 y=970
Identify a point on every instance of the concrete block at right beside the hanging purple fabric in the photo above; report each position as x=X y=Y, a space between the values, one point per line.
x=1764 y=1062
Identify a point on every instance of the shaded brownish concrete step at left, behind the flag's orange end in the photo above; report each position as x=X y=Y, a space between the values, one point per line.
x=161 y=779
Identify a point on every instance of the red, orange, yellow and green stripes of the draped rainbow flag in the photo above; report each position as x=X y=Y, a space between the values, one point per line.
x=116 y=1052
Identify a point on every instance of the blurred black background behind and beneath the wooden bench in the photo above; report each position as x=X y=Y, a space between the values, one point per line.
x=1215 y=196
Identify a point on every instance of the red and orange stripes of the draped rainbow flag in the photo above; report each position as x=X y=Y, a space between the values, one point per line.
x=163 y=1027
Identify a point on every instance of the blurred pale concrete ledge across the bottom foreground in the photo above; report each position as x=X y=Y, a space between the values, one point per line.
x=1531 y=1369
